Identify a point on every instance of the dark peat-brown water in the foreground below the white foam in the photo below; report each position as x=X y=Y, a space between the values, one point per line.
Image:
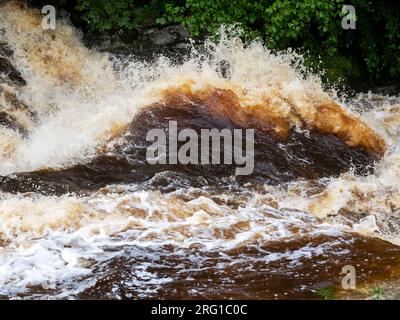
x=305 y=268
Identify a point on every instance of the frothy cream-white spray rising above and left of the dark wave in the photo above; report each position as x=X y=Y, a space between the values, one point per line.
x=82 y=102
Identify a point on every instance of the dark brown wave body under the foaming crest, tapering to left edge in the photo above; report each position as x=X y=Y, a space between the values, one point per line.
x=277 y=159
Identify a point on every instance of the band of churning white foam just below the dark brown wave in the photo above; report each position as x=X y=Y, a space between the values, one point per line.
x=53 y=239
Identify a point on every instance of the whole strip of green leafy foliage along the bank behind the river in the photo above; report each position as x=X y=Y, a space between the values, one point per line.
x=312 y=27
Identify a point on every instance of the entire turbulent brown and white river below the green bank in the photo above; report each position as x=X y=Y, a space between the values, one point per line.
x=83 y=215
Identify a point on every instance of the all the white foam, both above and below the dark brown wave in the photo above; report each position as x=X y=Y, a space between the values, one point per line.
x=82 y=104
